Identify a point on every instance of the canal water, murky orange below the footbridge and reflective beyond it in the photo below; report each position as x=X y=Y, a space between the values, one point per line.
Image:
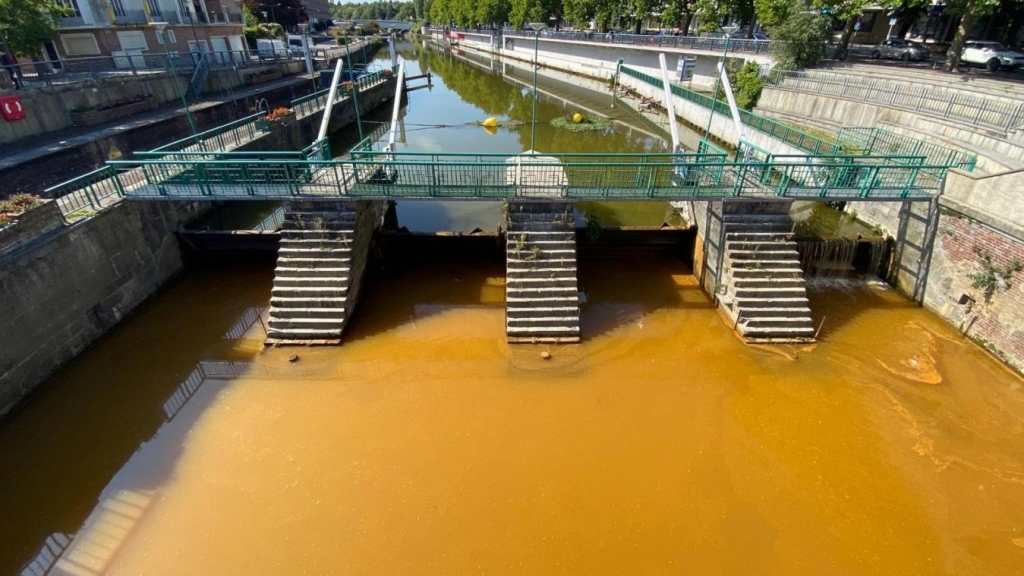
x=425 y=444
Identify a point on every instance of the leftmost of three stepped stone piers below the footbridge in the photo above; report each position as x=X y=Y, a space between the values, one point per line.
x=310 y=299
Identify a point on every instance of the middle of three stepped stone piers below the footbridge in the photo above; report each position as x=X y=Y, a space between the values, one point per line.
x=542 y=301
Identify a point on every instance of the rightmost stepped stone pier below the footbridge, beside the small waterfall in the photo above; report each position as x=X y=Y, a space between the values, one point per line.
x=765 y=296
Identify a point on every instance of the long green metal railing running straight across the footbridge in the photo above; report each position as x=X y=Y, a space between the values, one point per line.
x=371 y=174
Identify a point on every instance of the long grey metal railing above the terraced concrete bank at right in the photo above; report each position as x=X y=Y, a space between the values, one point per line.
x=951 y=104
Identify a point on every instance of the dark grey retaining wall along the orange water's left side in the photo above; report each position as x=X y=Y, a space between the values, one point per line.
x=70 y=289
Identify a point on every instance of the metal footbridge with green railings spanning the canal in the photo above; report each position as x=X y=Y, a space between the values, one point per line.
x=209 y=168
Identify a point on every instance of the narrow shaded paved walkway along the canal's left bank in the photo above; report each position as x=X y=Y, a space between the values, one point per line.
x=38 y=147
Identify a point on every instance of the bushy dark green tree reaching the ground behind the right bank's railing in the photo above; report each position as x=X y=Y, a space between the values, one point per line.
x=802 y=34
